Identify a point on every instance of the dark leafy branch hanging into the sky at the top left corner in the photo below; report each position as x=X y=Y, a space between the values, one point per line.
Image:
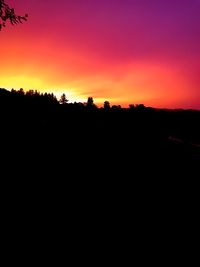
x=8 y=14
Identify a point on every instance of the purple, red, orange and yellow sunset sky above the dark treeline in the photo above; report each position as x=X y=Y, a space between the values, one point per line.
x=124 y=51
